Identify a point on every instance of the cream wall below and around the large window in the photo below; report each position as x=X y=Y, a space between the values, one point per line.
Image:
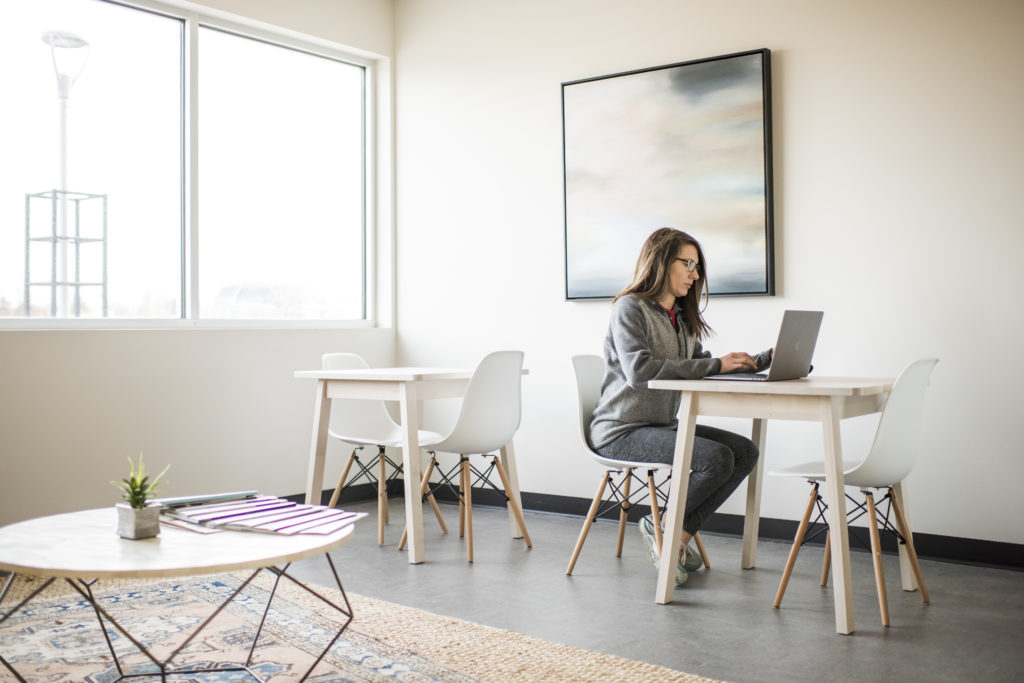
x=221 y=406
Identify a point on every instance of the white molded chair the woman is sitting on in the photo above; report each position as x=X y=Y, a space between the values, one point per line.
x=589 y=374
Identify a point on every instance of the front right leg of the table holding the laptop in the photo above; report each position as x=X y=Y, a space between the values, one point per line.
x=836 y=498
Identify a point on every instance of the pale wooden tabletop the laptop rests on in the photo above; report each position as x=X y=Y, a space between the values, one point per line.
x=809 y=387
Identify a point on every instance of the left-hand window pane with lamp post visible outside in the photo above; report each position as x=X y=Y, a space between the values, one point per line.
x=91 y=182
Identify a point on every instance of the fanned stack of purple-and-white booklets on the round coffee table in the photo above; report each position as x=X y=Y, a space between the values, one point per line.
x=248 y=511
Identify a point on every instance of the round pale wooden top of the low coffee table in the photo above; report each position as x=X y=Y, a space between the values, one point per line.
x=87 y=545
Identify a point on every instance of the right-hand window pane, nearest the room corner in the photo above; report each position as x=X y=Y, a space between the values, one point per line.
x=281 y=182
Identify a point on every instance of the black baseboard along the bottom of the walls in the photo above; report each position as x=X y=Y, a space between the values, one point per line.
x=931 y=546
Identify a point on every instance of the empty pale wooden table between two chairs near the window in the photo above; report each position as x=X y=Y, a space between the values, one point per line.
x=408 y=387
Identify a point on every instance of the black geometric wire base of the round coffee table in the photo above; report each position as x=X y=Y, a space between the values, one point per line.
x=163 y=671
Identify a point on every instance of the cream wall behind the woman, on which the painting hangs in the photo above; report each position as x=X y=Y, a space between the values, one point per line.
x=899 y=164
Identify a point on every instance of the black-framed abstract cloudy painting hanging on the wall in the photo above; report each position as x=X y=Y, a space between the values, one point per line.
x=687 y=146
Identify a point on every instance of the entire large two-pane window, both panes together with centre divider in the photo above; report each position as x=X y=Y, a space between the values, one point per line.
x=119 y=201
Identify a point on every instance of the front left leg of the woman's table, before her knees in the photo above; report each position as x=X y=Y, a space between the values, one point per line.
x=677 y=500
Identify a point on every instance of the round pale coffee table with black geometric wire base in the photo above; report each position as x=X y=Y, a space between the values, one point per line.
x=81 y=547
